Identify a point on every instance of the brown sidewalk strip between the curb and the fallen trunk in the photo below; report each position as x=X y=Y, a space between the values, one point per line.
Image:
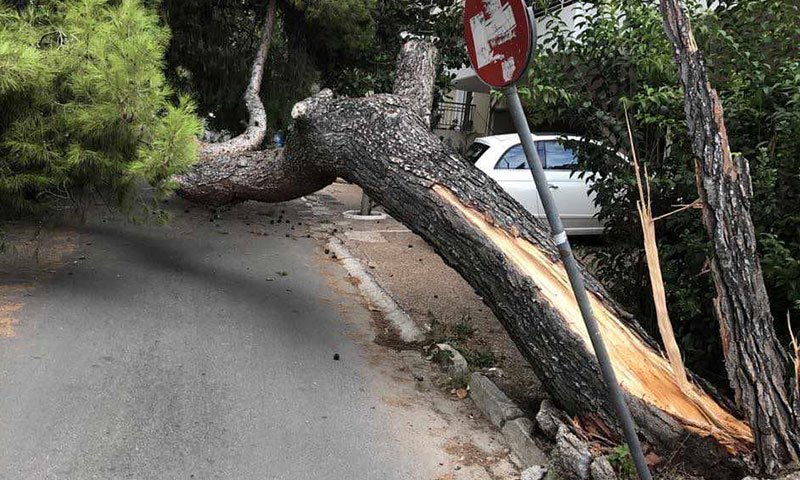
x=434 y=295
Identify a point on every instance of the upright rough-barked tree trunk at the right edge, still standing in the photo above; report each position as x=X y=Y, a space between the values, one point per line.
x=755 y=360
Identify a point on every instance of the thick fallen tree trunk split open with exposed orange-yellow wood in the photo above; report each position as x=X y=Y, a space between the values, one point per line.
x=504 y=252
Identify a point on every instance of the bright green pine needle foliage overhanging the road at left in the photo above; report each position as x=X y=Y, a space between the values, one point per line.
x=85 y=110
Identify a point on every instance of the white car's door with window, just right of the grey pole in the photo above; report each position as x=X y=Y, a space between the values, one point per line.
x=570 y=191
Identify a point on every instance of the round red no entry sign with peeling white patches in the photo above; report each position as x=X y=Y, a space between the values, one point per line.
x=499 y=36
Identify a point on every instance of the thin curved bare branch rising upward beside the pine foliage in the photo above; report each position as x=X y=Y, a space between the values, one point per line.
x=256 y=130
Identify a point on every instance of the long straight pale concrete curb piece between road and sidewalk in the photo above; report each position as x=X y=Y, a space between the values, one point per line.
x=376 y=295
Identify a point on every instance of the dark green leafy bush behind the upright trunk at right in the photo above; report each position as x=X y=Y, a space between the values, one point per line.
x=620 y=57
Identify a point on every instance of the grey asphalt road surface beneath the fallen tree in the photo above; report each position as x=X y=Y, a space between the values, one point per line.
x=203 y=349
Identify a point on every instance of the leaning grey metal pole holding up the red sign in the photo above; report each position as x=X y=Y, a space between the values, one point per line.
x=576 y=280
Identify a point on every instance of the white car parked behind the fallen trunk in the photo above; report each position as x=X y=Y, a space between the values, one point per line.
x=501 y=157
